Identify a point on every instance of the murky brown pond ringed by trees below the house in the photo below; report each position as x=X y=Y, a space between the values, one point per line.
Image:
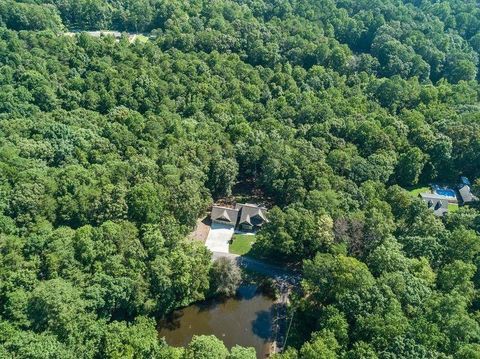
x=245 y=320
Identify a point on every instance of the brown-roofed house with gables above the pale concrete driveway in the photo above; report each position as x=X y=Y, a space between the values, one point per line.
x=246 y=216
